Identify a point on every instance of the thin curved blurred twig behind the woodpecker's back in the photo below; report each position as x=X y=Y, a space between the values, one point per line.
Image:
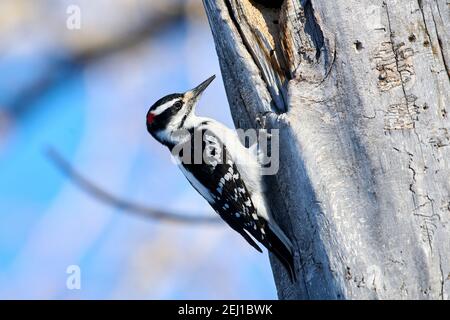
x=83 y=183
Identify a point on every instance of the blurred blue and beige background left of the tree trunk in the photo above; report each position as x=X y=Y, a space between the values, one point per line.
x=85 y=92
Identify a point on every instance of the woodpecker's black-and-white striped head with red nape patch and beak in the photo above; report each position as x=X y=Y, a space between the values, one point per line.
x=174 y=112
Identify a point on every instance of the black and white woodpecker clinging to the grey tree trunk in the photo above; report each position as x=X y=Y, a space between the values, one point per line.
x=230 y=176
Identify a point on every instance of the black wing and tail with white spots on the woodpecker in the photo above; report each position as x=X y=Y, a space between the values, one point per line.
x=218 y=180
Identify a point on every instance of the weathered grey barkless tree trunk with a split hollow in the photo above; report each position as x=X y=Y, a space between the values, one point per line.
x=360 y=92
